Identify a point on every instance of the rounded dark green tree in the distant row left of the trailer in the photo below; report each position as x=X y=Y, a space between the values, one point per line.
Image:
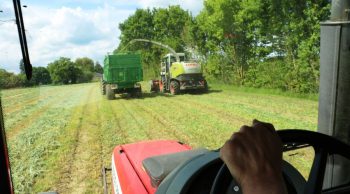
x=64 y=71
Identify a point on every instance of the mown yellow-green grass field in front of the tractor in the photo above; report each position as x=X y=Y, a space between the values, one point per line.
x=60 y=136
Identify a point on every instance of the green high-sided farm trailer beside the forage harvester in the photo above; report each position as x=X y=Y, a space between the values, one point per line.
x=122 y=74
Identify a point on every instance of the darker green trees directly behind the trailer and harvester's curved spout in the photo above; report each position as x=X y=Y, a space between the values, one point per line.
x=165 y=25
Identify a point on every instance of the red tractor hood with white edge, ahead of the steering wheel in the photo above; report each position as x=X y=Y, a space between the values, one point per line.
x=128 y=174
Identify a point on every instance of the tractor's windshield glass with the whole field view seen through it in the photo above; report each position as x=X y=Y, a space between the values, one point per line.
x=91 y=89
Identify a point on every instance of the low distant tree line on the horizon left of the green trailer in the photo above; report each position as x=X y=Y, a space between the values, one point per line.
x=60 y=71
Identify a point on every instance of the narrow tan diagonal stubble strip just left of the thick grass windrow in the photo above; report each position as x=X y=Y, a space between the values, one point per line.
x=12 y=131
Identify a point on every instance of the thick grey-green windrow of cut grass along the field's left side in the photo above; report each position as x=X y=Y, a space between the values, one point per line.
x=30 y=149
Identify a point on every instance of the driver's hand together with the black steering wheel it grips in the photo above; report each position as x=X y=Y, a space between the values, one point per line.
x=260 y=146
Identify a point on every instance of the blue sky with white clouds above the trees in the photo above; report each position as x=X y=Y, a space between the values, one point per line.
x=70 y=28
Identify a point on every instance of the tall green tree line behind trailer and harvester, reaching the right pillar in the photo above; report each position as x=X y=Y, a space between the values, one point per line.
x=255 y=43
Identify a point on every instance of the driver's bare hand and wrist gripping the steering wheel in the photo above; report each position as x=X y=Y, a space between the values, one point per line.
x=254 y=157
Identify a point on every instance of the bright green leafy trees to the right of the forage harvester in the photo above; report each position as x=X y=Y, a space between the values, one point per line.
x=246 y=34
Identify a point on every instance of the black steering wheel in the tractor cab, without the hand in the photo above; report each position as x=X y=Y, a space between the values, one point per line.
x=323 y=145
